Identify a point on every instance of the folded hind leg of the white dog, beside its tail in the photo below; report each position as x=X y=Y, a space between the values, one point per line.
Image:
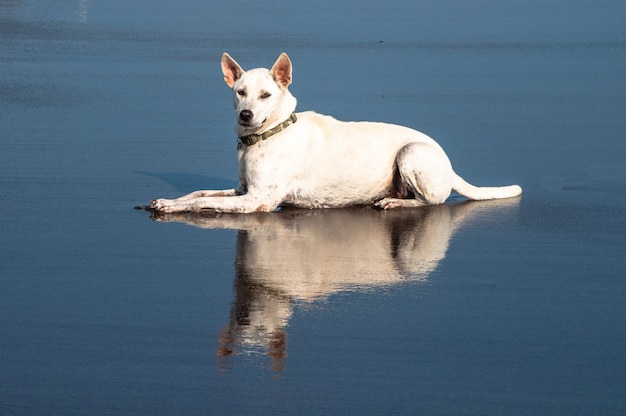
x=427 y=173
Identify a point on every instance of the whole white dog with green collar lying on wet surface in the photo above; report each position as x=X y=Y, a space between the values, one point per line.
x=309 y=160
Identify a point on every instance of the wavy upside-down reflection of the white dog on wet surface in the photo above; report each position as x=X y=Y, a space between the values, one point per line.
x=306 y=255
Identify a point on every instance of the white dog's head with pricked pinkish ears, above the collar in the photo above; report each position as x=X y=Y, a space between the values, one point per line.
x=260 y=96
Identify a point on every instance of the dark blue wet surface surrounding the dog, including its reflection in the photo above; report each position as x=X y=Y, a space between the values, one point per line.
x=481 y=308
